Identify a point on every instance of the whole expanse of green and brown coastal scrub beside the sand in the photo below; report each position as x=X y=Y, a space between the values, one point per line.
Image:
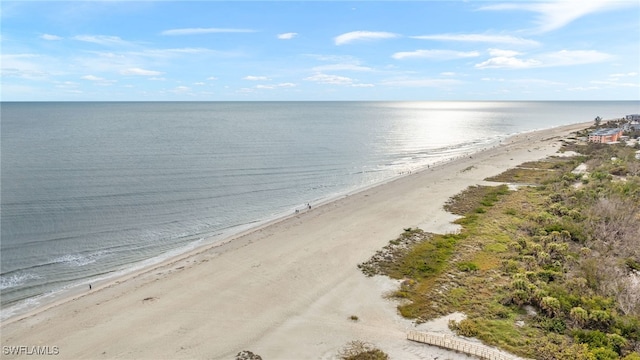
x=549 y=271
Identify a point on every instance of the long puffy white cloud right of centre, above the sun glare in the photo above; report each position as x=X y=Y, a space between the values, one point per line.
x=509 y=60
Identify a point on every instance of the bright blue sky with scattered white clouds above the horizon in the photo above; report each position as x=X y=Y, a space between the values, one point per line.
x=319 y=50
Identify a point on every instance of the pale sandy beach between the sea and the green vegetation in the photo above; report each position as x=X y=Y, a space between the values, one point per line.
x=285 y=290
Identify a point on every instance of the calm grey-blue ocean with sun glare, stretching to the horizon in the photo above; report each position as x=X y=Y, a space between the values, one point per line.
x=93 y=190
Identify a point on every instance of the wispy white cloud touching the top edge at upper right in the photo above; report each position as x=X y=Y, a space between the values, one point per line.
x=553 y=15
